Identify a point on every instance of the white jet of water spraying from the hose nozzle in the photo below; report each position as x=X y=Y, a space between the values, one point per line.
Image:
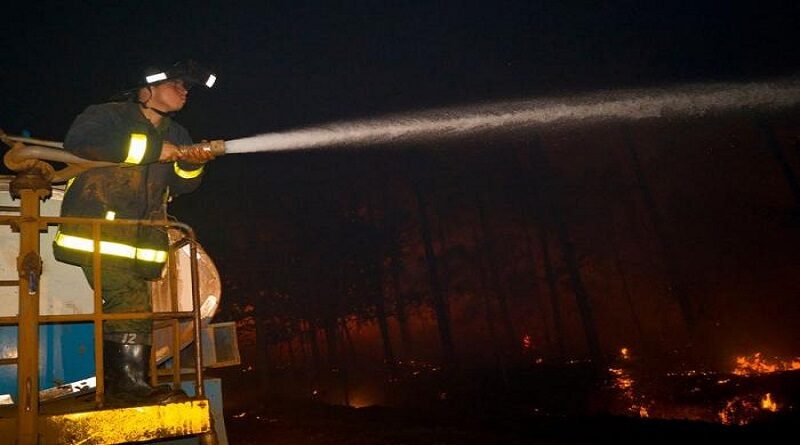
x=446 y=123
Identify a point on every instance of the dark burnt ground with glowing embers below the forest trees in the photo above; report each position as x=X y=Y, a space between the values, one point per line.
x=560 y=406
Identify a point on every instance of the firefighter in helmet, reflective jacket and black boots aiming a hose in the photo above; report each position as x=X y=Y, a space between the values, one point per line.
x=141 y=135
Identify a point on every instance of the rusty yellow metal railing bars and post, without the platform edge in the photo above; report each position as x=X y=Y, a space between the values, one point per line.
x=30 y=224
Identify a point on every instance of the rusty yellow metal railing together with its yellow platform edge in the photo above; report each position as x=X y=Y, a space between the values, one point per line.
x=95 y=425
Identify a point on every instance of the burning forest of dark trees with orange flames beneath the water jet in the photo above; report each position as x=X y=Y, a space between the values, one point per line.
x=644 y=270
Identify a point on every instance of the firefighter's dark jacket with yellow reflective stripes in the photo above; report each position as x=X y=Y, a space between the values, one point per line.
x=119 y=132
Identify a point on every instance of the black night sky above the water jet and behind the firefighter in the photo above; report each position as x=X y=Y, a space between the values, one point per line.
x=283 y=65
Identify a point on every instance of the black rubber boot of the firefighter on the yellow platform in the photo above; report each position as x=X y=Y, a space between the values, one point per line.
x=127 y=376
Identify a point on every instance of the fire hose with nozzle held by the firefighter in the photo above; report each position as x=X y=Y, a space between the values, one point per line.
x=29 y=153
